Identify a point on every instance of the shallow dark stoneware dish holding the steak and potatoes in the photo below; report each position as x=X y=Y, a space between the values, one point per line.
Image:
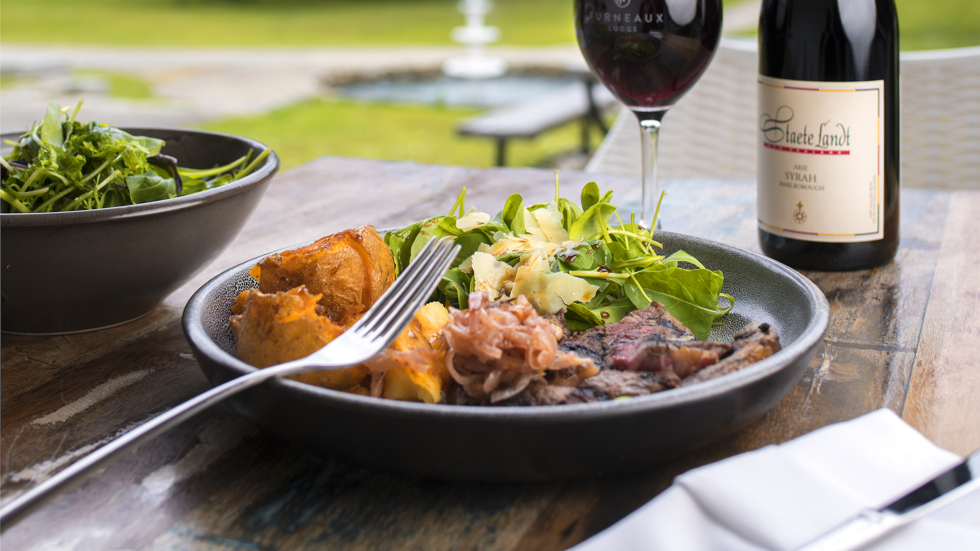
x=541 y=442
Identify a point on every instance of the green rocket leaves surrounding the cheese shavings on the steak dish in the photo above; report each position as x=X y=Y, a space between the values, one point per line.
x=623 y=261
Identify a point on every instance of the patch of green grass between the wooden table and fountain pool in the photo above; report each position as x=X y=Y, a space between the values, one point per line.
x=426 y=134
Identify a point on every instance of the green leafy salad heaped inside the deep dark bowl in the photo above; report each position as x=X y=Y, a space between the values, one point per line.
x=61 y=164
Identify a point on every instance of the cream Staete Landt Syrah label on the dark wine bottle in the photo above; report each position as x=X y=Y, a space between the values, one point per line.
x=821 y=163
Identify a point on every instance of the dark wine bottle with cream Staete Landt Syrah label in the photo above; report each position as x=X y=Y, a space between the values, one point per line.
x=828 y=168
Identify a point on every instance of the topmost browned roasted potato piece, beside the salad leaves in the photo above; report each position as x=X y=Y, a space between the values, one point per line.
x=349 y=270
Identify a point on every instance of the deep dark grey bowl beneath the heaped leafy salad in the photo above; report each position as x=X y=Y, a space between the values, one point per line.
x=74 y=271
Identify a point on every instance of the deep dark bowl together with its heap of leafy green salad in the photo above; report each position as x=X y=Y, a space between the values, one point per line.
x=101 y=223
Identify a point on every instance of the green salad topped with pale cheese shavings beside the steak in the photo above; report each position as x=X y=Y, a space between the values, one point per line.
x=566 y=256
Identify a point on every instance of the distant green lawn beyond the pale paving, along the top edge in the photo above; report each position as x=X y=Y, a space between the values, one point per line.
x=926 y=24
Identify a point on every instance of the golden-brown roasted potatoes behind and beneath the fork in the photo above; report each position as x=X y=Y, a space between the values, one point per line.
x=308 y=296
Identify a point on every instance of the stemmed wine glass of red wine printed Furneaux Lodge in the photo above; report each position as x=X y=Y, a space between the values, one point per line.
x=648 y=53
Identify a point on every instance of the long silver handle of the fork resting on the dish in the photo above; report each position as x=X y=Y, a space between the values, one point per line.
x=77 y=472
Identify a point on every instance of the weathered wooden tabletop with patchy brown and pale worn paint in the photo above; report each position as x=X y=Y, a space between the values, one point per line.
x=904 y=337
